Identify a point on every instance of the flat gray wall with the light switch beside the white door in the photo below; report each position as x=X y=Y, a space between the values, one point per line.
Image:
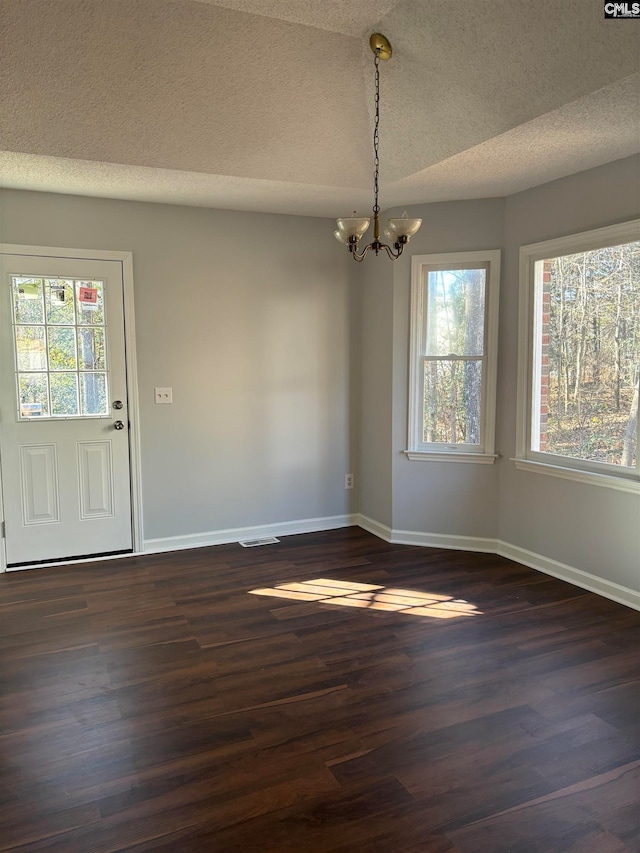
x=248 y=318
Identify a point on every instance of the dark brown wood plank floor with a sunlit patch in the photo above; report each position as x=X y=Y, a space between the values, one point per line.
x=433 y=701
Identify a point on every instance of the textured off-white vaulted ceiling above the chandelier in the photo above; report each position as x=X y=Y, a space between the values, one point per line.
x=267 y=104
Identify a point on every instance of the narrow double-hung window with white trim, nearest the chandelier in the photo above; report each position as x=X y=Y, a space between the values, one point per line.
x=452 y=373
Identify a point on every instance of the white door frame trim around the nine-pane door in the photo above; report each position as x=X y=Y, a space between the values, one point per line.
x=135 y=464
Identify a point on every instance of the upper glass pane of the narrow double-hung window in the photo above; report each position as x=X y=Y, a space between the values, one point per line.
x=455 y=312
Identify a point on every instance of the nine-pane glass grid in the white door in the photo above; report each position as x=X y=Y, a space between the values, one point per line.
x=60 y=347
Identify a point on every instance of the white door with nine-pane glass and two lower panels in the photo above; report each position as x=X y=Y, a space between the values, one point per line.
x=64 y=435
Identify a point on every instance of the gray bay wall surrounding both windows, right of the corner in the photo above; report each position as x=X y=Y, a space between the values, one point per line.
x=590 y=528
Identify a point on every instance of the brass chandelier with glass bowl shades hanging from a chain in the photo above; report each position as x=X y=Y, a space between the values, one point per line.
x=351 y=229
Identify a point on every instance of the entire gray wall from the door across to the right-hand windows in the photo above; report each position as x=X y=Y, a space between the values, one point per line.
x=289 y=366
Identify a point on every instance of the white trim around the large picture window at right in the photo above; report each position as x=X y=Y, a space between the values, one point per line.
x=578 y=470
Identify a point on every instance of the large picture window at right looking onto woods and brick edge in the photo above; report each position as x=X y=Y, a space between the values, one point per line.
x=580 y=356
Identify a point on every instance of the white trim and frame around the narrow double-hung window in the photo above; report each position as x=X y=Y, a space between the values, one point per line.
x=485 y=453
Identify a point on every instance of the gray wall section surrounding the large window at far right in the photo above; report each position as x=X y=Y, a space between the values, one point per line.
x=592 y=528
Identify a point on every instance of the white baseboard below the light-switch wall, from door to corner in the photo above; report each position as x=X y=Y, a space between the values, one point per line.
x=235 y=534
